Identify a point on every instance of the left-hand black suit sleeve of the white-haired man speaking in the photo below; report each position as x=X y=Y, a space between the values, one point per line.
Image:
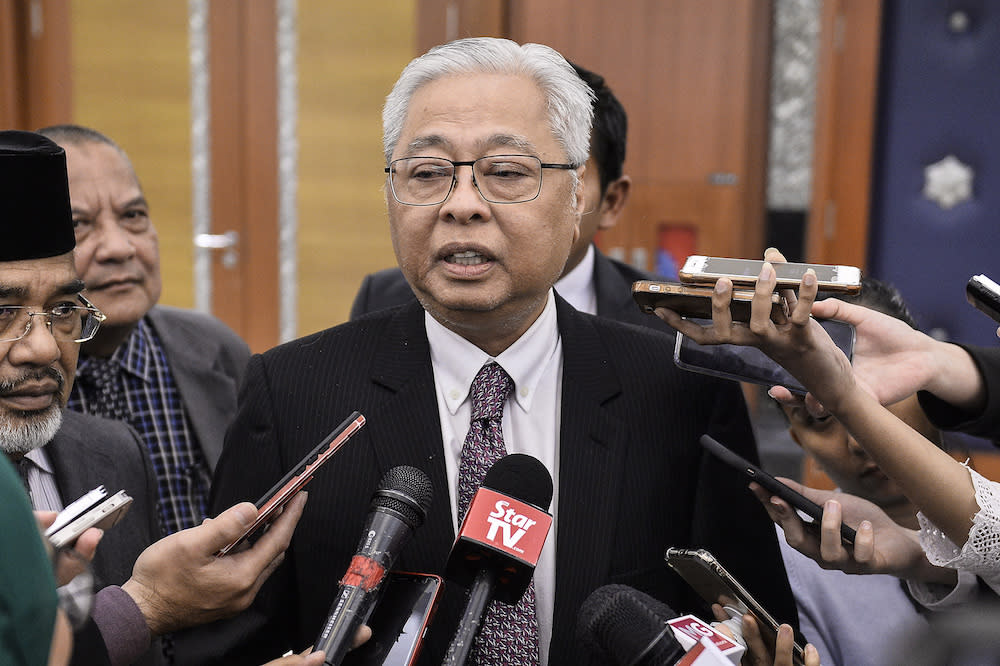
x=250 y=464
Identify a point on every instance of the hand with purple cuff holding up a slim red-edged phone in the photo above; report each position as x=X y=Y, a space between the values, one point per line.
x=178 y=581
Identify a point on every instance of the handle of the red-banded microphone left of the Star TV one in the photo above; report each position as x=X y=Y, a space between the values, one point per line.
x=383 y=538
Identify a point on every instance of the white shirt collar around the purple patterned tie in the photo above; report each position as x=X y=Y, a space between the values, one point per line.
x=456 y=361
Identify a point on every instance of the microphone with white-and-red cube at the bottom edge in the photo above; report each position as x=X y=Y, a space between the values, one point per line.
x=626 y=627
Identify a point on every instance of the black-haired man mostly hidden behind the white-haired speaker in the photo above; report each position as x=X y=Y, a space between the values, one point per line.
x=591 y=282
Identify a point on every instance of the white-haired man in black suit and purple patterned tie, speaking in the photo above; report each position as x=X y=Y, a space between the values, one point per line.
x=485 y=143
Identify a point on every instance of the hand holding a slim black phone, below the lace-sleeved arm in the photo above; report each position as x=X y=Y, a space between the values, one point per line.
x=881 y=546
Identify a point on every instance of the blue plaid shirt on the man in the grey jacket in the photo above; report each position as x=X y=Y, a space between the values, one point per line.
x=148 y=393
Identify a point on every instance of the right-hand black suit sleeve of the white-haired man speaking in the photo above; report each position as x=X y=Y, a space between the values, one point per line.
x=735 y=527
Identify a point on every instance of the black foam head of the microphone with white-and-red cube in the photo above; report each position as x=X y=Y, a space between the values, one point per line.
x=625 y=627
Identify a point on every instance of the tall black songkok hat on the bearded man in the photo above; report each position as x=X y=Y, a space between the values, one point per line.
x=35 y=216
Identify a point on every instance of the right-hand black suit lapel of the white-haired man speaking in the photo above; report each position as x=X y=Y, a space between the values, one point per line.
x=591 y=460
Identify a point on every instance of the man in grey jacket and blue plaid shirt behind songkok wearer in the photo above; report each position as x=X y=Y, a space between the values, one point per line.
x=171 y=374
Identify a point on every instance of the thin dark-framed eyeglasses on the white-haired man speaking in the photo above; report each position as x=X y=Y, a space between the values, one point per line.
x=428 y=181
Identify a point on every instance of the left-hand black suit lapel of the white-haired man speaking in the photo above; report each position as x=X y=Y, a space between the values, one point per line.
x=408 y=428
